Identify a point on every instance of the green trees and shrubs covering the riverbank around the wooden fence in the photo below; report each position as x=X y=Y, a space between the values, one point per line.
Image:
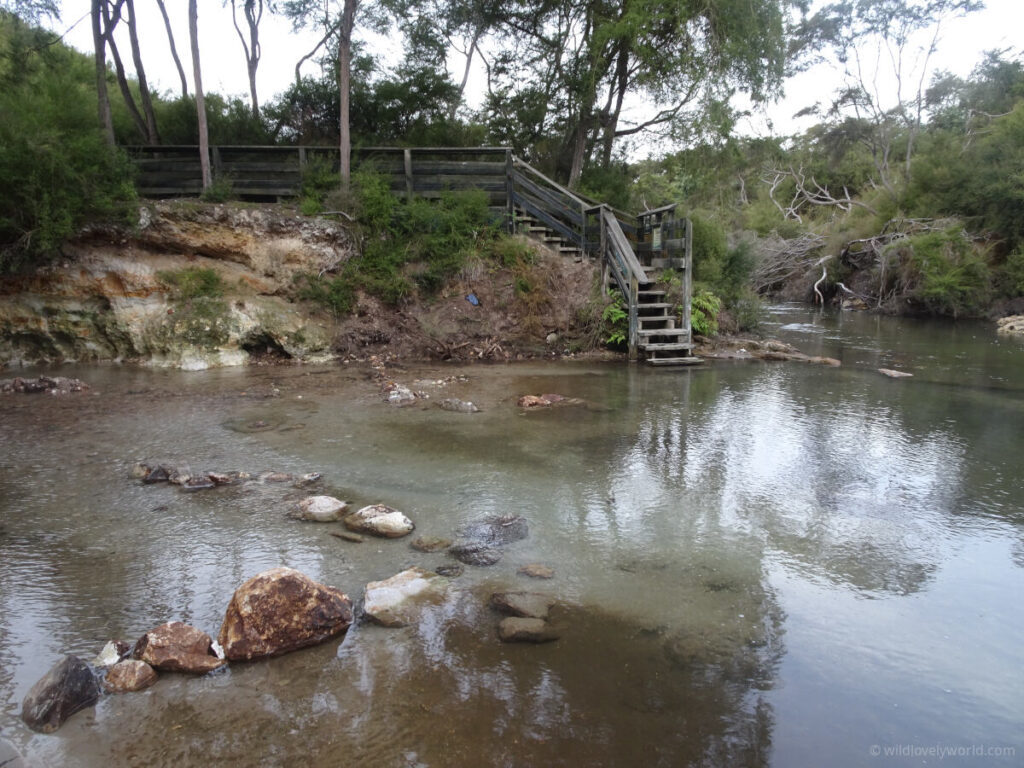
x=913 y=202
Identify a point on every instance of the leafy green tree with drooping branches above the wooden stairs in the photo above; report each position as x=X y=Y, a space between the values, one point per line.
x=588 y=60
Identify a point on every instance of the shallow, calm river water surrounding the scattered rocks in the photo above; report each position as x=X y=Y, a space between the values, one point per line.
x=757 y=564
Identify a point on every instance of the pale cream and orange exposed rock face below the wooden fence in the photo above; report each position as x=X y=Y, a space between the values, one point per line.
x=109 y=302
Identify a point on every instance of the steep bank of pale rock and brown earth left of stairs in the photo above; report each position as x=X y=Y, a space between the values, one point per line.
x=113 y=297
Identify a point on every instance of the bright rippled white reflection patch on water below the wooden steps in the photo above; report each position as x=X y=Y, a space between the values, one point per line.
x=844 y=488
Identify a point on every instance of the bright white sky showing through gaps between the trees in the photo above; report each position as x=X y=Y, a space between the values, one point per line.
x=1001 y=25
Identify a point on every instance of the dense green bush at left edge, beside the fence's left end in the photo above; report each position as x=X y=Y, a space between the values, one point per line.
x=58 y=173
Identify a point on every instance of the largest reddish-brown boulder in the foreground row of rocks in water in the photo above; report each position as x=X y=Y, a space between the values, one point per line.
x=281 y=611
